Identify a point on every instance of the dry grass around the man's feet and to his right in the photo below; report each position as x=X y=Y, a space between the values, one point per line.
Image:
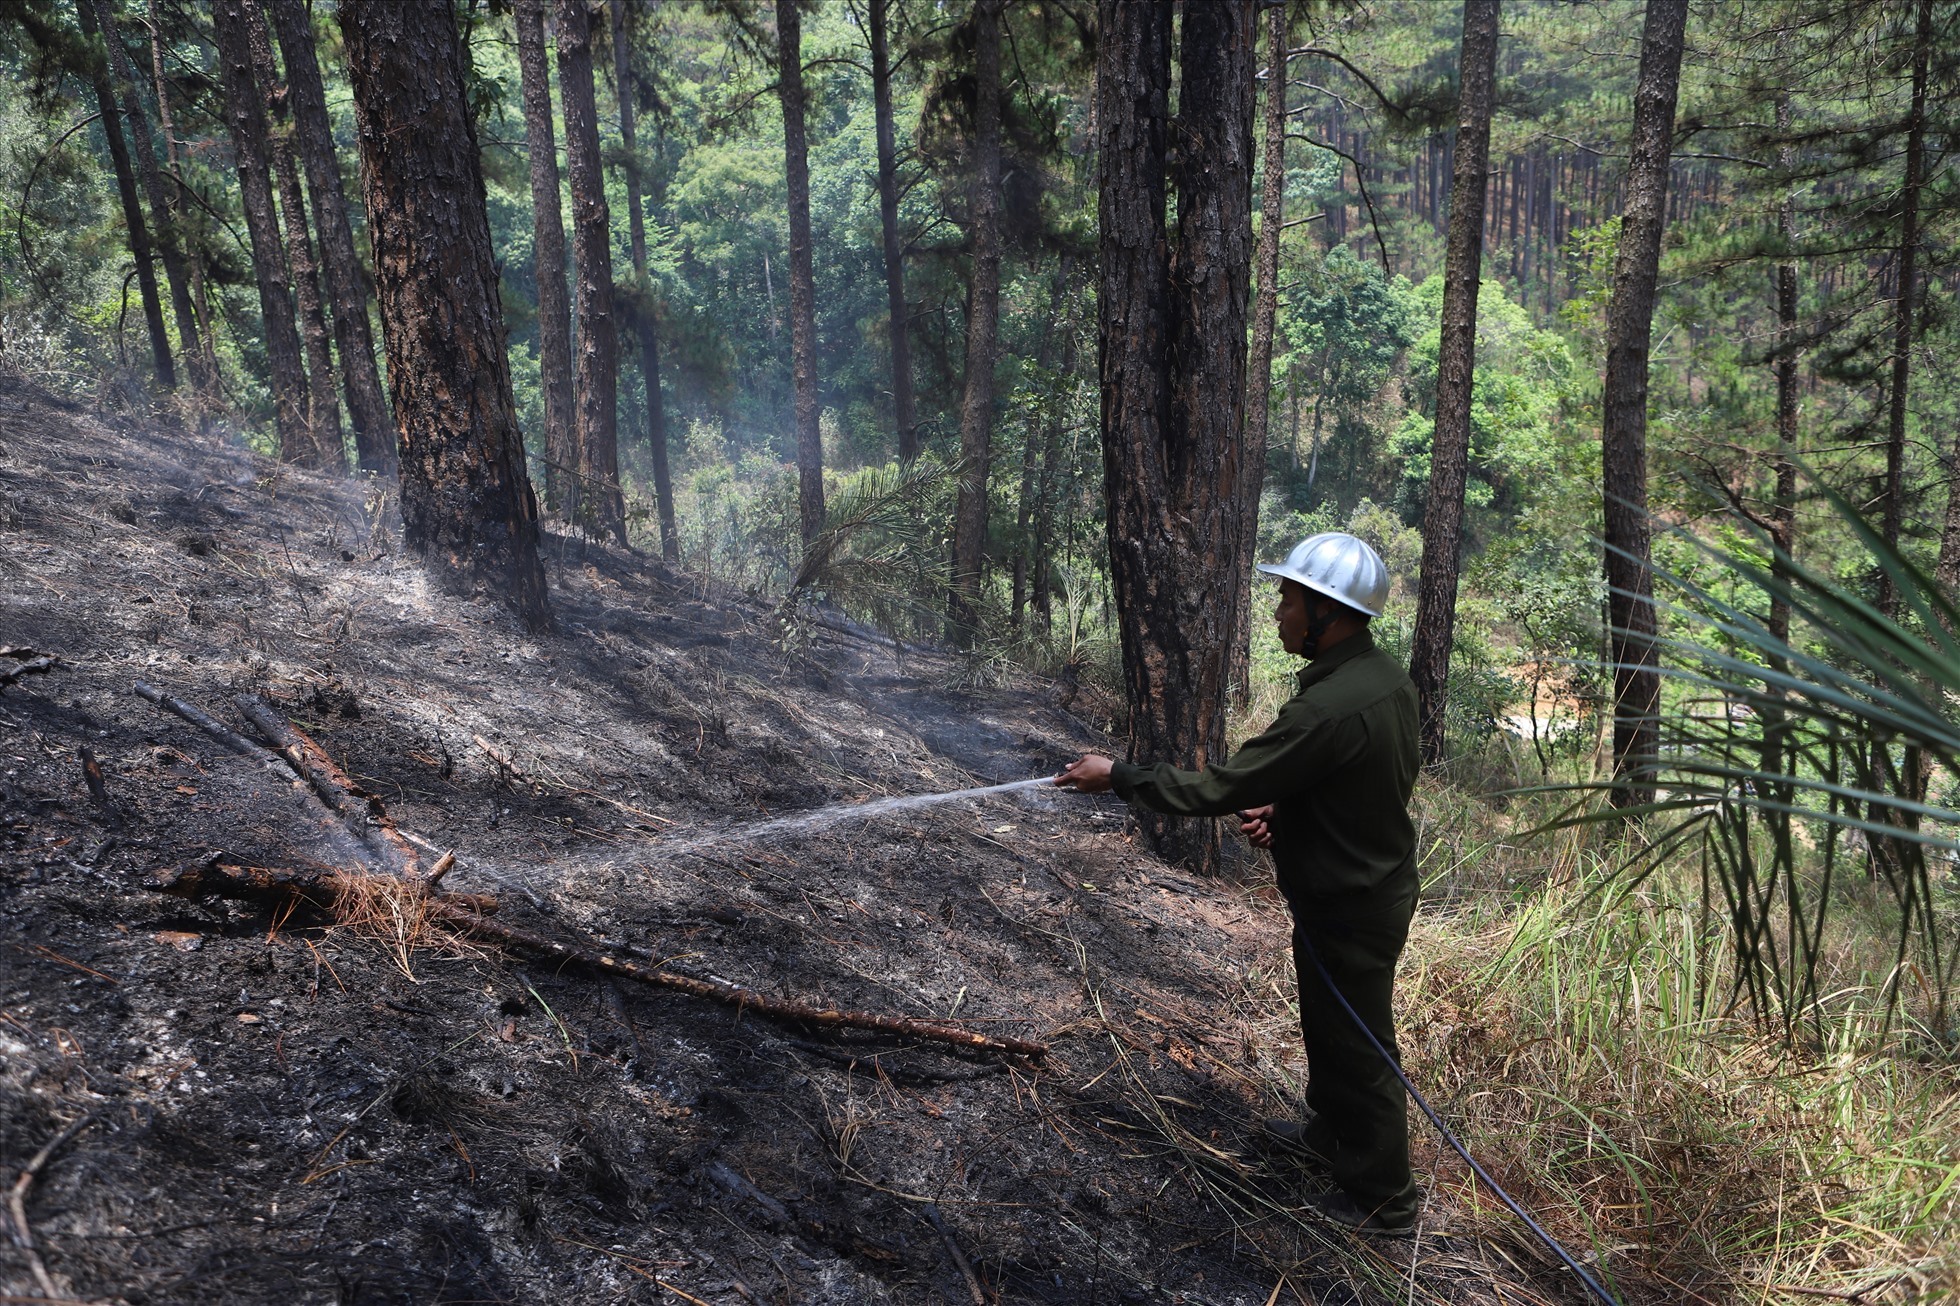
x=1581 y=1042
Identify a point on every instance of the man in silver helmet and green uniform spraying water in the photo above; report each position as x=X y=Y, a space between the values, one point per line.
x=1328 y=789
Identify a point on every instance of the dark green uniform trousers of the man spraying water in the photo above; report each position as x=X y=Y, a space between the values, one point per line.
x=1361 y=1123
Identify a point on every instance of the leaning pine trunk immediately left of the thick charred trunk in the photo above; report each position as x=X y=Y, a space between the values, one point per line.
x=340 y=264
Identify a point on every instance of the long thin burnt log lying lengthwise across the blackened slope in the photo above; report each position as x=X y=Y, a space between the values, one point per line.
x=469 y=917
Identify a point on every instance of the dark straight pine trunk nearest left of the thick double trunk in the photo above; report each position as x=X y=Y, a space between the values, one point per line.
x=983 y=332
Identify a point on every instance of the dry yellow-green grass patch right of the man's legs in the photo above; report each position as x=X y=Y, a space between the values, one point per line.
x=1585 y=1044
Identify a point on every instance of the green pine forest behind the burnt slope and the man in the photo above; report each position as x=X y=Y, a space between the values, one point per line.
x=812 y=299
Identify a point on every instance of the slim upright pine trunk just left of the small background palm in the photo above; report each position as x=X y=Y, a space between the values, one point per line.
x=803 y=276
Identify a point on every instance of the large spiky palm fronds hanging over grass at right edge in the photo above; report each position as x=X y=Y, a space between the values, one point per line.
x=1787 y=756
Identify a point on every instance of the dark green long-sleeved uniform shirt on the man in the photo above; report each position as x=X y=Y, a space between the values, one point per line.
x=1338 y=766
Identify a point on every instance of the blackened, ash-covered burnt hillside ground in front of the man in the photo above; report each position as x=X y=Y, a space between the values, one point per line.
x=291 y=1109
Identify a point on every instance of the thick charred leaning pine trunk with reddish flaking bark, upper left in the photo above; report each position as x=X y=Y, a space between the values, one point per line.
x=467 y=503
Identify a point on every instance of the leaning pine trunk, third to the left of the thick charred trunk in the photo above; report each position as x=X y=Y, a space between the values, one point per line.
x=252 y=150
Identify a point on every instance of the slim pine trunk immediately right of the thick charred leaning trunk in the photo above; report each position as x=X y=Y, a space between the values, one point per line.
x=548 y=264
